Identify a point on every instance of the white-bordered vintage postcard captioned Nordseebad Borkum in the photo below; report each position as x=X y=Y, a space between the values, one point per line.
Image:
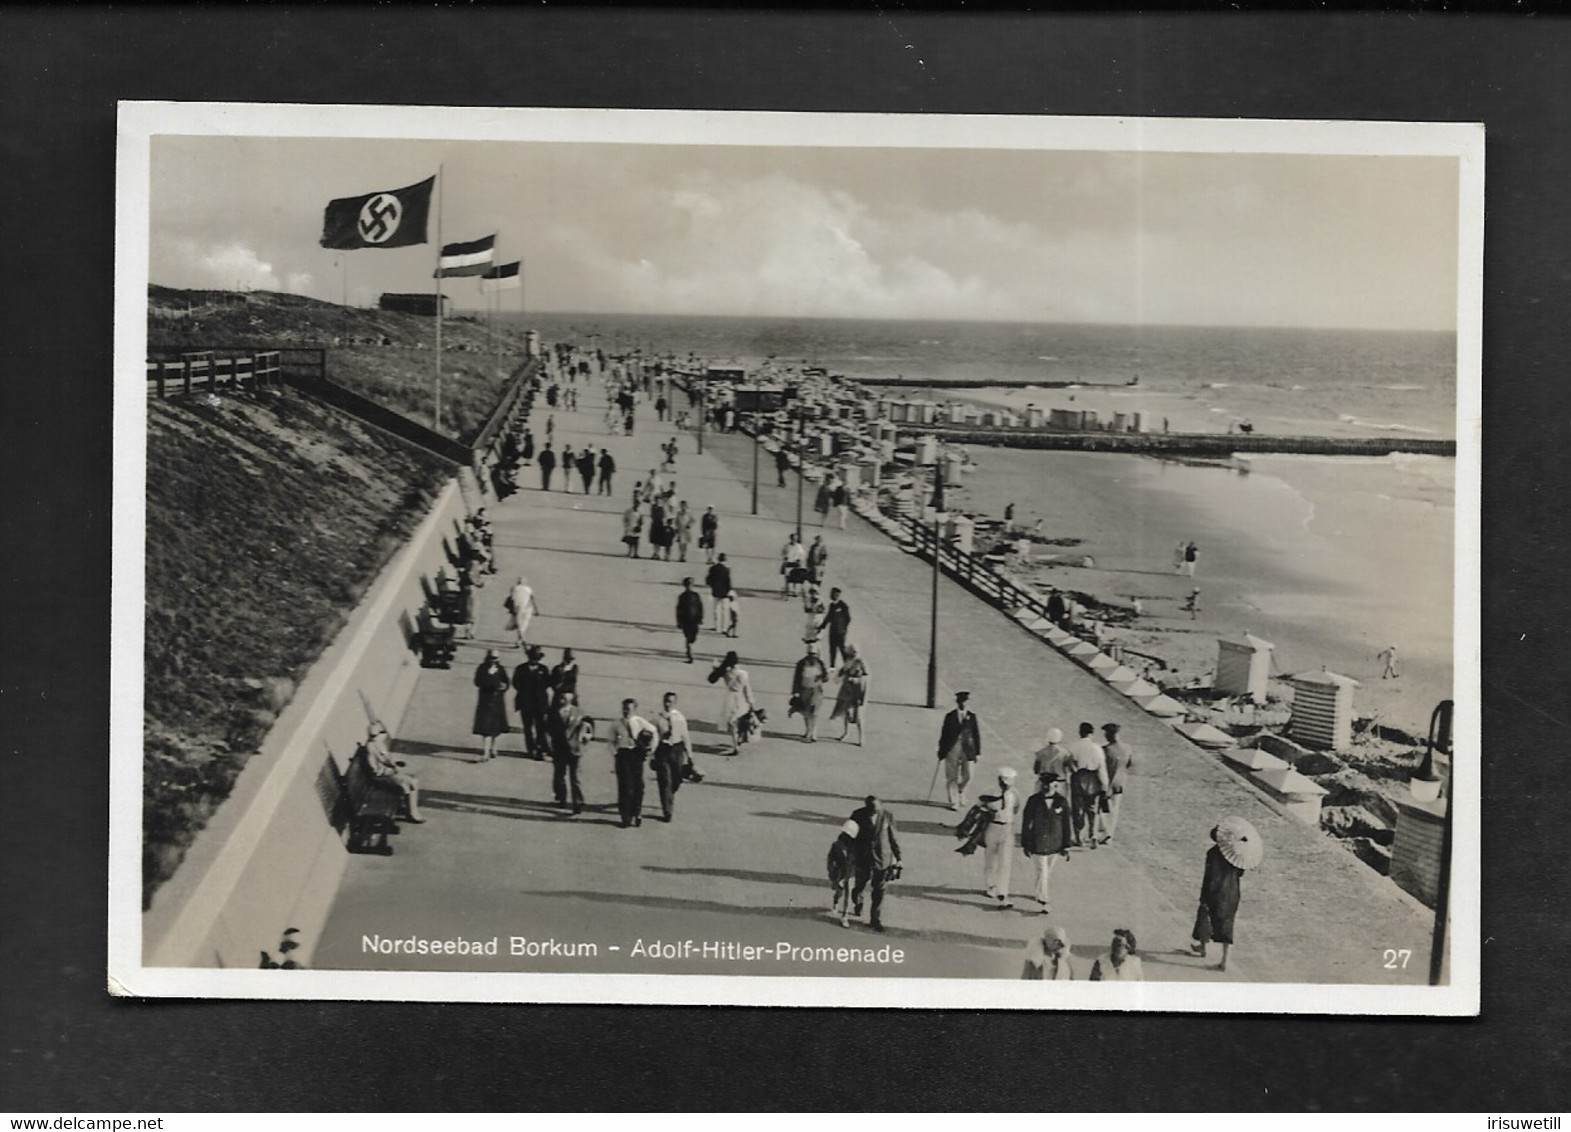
x=797 y=560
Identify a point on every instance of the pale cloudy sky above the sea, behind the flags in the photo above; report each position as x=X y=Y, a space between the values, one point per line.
x=1038 y=236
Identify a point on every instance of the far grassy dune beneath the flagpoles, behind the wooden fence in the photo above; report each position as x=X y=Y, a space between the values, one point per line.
x=386 y=356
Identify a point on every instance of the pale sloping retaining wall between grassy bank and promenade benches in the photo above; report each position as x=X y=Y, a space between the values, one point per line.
x=271 y=858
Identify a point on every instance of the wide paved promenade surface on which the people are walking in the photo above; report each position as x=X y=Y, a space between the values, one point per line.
x=745 y=858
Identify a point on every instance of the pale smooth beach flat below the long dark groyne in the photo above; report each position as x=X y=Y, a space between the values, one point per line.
x=1331 y=560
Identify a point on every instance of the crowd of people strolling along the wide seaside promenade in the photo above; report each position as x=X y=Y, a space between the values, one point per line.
x=1078 y=786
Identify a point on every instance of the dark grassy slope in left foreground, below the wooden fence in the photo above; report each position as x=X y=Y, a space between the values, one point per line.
x=268 y=519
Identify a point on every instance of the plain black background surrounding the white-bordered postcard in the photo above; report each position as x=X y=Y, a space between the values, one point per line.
x=67 y=1046
